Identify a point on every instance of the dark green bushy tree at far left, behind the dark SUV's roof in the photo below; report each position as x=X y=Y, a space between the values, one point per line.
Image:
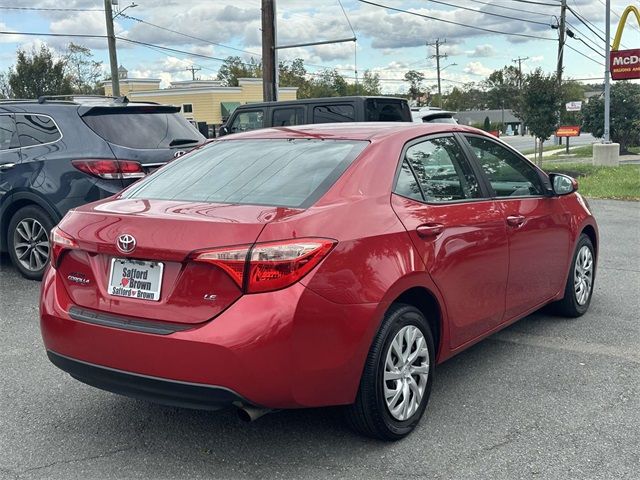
x=37 y=73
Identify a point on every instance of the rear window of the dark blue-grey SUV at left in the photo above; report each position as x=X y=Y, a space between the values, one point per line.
x=145 y=130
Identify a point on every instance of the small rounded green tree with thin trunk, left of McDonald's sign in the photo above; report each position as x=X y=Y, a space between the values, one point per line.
x=540 y=103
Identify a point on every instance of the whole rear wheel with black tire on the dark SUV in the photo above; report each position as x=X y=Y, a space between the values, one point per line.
x=28 y=241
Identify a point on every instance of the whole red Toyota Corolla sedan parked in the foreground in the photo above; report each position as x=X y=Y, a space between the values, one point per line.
x=311 y=266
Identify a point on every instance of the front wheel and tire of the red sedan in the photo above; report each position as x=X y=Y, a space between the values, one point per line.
x=576 y=301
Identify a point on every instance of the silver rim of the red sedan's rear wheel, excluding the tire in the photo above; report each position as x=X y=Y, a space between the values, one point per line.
x=406 y=372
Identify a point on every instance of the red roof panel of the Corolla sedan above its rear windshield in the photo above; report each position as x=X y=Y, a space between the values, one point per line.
x=353 y=131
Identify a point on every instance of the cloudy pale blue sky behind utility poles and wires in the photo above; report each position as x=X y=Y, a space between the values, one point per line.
x=389 y=42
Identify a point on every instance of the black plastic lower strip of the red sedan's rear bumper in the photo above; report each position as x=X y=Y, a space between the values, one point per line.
x=157 y=390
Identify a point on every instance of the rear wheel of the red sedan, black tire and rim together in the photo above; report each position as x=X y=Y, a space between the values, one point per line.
x=371 y=414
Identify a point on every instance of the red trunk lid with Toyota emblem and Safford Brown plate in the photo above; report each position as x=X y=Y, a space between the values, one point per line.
x=166 y=233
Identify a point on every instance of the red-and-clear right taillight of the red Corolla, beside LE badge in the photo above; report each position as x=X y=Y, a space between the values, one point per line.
x=269 y=266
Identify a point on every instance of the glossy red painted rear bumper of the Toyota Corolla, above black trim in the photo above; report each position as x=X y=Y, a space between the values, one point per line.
x=286 y=349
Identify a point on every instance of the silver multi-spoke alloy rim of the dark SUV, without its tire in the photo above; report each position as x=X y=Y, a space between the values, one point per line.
x=31 y=244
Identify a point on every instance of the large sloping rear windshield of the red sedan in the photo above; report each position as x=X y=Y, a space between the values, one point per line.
x=288 y=173
